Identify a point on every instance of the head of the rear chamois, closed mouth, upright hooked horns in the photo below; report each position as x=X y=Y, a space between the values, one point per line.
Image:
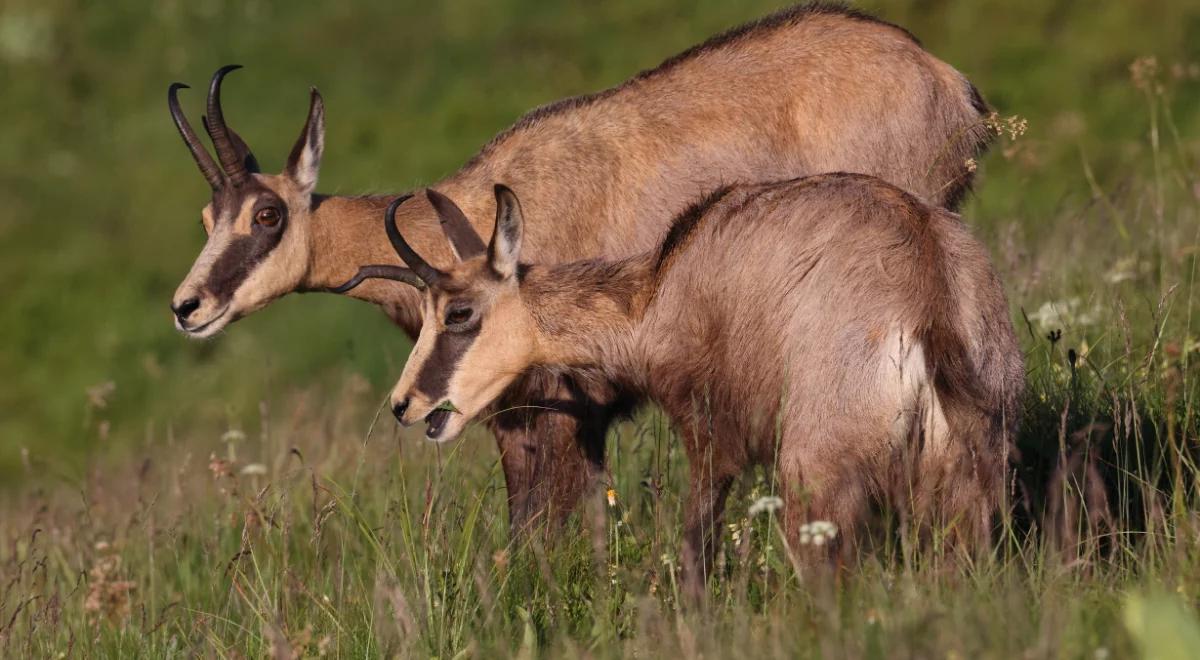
x=257 y=224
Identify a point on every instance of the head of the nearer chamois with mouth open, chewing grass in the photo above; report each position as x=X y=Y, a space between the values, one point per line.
x=477 y=334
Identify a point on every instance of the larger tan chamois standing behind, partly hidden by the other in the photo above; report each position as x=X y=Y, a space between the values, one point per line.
x=807 y=91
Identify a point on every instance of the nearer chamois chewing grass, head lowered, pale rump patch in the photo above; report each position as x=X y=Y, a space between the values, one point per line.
x=832 y=328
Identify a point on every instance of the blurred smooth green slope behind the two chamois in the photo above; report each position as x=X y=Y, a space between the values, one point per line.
x=100 y=202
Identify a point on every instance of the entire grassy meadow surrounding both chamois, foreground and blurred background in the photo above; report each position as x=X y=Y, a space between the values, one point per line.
x=244 y=497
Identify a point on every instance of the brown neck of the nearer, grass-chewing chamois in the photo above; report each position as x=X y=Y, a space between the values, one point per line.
x=587 y=314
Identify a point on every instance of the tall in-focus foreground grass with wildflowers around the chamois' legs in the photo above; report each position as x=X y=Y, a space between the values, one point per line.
x=317 y=531
